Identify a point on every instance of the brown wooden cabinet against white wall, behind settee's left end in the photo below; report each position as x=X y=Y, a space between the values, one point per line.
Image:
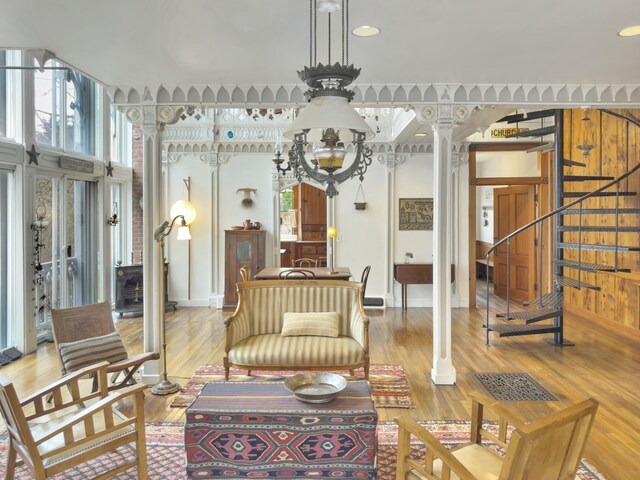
x=242 y=248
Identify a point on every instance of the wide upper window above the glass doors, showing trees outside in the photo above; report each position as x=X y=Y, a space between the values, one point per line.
x=68 y=110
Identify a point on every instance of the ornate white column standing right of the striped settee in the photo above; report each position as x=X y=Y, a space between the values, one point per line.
x=443 y=118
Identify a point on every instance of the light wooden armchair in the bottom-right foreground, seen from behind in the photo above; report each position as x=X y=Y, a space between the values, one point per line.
x=546 y=449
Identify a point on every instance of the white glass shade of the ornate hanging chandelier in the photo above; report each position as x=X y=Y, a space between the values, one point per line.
x=324 y=112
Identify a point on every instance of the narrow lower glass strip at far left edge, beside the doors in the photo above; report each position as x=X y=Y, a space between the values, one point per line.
x=5 y=280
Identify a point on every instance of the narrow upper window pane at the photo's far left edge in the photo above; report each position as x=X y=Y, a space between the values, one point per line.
x=10 y=95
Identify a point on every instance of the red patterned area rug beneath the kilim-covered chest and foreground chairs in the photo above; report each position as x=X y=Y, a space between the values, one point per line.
x=166 y=457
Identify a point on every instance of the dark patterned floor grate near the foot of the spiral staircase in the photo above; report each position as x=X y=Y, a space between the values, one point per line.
x=513 y=386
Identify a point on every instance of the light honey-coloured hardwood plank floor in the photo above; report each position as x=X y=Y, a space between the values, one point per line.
x=604 y=364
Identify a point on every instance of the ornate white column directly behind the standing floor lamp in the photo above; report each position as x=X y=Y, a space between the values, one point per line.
x=152 y=119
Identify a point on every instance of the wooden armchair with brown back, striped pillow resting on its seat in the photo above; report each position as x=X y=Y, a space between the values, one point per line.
x=90 y=321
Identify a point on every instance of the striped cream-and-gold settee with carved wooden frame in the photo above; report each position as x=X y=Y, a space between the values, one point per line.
x=253 y=340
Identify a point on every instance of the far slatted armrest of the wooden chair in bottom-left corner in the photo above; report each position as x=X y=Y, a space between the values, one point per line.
x=71 y=380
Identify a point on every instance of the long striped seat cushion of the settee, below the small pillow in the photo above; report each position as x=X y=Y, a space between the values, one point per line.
x=301 y=351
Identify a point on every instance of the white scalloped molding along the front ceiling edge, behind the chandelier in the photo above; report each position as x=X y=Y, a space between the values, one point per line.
x=382 y=95
